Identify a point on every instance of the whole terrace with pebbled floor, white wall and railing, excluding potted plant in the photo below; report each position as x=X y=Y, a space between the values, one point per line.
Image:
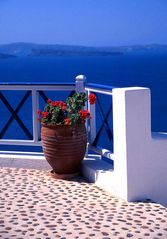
x=110 y=200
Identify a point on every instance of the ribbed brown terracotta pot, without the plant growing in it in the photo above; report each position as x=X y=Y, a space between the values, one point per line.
x=64 y=147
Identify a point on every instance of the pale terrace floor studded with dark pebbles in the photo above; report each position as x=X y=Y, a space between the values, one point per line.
x=33 y=205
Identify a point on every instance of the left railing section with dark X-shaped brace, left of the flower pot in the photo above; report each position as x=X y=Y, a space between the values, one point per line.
x=33 y=91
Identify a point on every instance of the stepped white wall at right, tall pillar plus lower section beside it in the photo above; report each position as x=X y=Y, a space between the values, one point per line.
x=140 y=160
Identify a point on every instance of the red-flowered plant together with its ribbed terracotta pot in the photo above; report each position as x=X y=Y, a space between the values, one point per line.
x=63 y=133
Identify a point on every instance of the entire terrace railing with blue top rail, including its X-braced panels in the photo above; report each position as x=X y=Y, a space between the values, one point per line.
x=19 y=103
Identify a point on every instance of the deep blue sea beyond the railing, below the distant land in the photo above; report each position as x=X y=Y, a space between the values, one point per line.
x=129 y=69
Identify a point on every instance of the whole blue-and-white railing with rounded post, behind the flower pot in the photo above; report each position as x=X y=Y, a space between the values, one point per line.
x=34 y=91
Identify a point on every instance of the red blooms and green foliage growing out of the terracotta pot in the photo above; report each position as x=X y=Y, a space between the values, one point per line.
x=69 y=112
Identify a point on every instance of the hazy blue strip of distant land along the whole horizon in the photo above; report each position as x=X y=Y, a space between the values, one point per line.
x=37 y=50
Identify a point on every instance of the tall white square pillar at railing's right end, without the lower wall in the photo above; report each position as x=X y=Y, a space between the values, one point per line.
x=132 y=139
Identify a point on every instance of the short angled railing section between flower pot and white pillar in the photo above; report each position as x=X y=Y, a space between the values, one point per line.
x=96 y=129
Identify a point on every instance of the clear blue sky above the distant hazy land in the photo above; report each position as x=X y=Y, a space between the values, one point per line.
x=84 y=22
